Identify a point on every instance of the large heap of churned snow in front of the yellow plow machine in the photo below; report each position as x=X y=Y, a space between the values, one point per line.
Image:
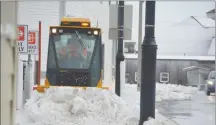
x=75 y=106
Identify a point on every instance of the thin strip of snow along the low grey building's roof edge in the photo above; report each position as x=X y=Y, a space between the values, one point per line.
x=159 y=57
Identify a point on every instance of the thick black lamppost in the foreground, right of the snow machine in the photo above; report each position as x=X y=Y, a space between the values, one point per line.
x=149 y=54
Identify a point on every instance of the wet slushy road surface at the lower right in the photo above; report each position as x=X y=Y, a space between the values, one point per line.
x=199 y=111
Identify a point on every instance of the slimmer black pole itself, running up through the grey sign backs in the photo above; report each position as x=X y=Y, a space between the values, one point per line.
x=120 y=55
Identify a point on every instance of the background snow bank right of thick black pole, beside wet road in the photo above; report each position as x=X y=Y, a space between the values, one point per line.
x=174 y=92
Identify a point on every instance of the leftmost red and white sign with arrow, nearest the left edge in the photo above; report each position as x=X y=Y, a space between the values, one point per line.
x=22 y=40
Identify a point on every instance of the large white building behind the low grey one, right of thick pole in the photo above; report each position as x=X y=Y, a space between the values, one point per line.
x=191 y=37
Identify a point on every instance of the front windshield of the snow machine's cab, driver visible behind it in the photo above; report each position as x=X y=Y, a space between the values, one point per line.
x=74 y=50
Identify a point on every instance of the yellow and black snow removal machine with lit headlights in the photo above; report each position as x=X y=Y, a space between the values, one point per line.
x=74 y=55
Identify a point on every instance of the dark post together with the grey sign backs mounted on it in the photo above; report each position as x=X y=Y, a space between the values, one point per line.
x=120 y=29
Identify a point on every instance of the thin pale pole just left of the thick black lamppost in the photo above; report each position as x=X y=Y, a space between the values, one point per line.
x=139 y=44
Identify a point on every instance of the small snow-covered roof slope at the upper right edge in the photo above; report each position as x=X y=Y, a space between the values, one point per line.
x=205 y=22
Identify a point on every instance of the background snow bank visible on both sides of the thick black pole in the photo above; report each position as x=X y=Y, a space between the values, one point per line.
x=163 y=92
